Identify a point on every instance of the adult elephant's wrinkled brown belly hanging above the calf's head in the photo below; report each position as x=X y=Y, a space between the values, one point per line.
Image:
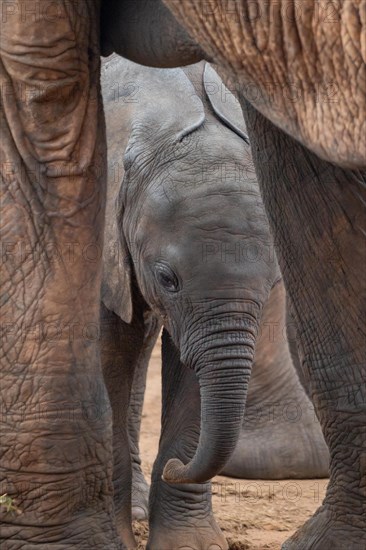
x=301 y=64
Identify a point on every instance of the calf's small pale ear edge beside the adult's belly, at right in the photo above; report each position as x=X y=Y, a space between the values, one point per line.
x=224 y=103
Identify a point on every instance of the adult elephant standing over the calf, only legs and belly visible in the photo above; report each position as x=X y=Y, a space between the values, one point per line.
x=57 y=436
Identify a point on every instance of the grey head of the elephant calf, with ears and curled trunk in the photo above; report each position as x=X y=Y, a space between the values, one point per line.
x=185 y=221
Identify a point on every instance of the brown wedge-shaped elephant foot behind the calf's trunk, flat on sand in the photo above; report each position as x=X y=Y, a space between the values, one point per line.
x=281 y=437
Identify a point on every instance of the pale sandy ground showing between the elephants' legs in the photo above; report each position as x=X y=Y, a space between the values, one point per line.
x=253 y=514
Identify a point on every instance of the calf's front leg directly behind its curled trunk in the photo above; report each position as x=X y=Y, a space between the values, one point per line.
x=180 y=515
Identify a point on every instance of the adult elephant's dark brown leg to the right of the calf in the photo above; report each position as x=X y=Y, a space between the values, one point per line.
x=316 y=212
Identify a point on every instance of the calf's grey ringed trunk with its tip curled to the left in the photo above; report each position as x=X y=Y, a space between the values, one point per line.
x=223 y=369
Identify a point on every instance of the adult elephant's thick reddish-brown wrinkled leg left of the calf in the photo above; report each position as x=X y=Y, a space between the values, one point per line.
x=56 y=433
